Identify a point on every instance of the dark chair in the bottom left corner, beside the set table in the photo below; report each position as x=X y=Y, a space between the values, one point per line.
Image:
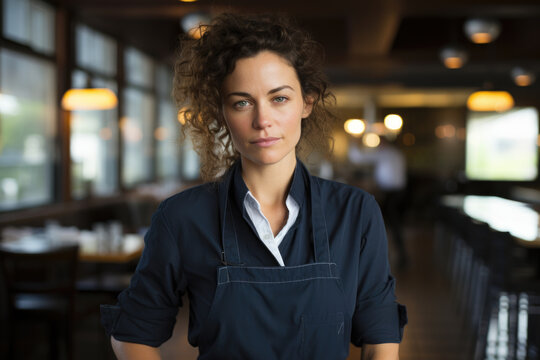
x=40 y=287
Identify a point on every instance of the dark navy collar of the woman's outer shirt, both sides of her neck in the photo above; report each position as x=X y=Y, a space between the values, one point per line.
x=297 y=190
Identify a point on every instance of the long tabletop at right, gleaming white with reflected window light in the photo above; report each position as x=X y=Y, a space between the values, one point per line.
x=514 y=217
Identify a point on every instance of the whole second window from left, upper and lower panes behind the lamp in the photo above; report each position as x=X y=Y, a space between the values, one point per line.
x=94 y=134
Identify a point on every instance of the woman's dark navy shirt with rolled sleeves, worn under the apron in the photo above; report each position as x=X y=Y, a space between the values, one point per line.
x=183 y=251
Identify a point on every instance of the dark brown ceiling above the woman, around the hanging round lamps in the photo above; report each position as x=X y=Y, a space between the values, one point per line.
x=376 y=46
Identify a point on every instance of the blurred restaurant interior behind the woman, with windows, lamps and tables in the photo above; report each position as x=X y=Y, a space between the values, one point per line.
x=442 y=95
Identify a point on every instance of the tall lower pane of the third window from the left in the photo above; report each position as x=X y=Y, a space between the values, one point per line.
x=137 y=129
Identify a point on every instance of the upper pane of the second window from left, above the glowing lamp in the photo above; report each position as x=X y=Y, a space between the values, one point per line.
x=95 y=51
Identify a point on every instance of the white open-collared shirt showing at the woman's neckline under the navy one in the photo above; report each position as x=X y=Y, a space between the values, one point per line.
x=264 y=230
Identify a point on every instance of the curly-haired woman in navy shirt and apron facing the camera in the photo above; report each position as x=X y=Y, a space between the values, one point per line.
x=277 y=264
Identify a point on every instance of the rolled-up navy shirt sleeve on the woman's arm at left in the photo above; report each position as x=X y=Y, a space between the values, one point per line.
x=146 y=311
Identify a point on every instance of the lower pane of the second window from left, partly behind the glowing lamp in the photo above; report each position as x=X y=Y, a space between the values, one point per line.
x=93 y=146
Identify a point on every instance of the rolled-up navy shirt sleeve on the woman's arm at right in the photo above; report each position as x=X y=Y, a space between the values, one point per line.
x=378 y=318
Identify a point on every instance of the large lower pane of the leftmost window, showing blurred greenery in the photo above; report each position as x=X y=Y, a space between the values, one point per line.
x=27 y=124
